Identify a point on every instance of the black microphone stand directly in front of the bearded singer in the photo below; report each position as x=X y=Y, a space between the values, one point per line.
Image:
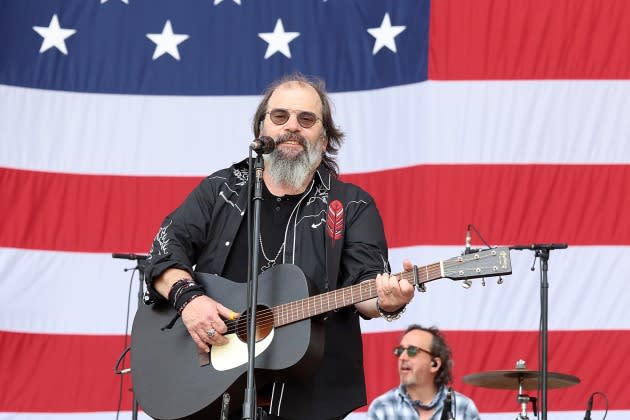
x=249 y=404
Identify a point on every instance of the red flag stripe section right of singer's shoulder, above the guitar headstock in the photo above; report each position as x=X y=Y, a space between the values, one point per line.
x=433 y=204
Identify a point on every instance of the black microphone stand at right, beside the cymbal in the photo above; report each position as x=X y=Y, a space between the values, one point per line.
x=542 y=251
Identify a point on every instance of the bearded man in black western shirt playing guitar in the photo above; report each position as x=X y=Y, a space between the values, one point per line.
x=330 y=229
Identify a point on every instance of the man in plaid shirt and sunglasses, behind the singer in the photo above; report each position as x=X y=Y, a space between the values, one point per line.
x=424 y=366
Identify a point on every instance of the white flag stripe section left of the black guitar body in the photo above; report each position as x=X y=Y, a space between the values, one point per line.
x=61 y=292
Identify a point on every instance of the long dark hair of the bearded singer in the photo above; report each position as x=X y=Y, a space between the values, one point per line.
x=332 y=133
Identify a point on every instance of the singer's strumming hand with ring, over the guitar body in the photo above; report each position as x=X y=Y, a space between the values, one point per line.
x=203 y=320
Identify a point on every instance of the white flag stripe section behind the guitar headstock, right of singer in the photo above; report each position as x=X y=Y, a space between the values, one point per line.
x=580 y=280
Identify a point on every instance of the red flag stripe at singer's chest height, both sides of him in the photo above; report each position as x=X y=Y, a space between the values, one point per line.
x=577 y=204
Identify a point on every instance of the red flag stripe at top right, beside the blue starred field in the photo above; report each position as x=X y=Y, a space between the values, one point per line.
x=533 y=39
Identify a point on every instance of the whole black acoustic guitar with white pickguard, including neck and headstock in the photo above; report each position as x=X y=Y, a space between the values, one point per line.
x=171 y=380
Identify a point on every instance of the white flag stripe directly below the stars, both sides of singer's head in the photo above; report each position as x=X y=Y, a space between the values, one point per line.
x=430 y=122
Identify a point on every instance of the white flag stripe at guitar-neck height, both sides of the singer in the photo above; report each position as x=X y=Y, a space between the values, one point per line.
x=87 y=293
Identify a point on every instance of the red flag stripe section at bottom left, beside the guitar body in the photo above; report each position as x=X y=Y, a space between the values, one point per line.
x=61 y=373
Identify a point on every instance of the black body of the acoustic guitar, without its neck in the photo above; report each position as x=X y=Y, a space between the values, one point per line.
x=169 y=382
